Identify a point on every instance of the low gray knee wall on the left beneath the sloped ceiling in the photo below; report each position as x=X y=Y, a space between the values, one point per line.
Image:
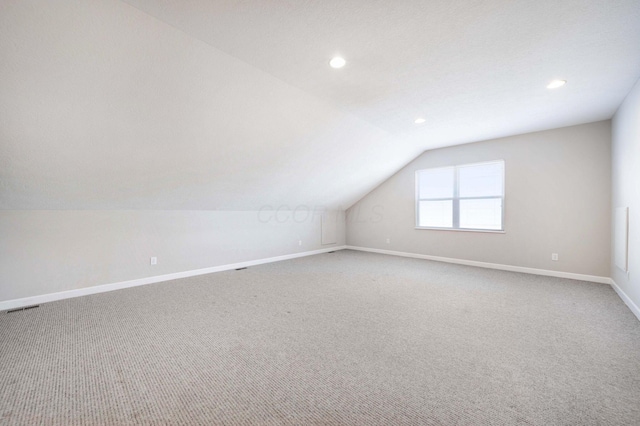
x=45 y=252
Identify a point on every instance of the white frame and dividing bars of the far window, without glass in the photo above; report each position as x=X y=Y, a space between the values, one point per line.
x=456 y=199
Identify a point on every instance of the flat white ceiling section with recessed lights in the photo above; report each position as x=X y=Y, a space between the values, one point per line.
x=473 y=69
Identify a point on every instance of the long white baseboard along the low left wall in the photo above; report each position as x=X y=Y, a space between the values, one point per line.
x=35 y=300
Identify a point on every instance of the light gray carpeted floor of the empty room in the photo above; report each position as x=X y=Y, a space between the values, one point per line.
x=347 y=338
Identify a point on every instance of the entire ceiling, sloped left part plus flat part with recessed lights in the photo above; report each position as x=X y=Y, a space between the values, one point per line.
x=196 y=104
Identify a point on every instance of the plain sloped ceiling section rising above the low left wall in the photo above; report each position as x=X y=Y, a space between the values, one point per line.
x=105 y=107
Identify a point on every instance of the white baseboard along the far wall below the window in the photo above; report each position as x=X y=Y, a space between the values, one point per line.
x=534 y=271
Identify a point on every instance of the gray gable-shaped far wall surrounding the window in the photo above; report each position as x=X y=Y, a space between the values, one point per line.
x=557 y=201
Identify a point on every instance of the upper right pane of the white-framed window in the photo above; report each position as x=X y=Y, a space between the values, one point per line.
x=481 y=180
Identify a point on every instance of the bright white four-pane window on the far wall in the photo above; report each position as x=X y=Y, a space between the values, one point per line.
x=468 y=197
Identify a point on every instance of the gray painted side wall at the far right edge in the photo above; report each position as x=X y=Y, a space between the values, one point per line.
x=626 y=187
